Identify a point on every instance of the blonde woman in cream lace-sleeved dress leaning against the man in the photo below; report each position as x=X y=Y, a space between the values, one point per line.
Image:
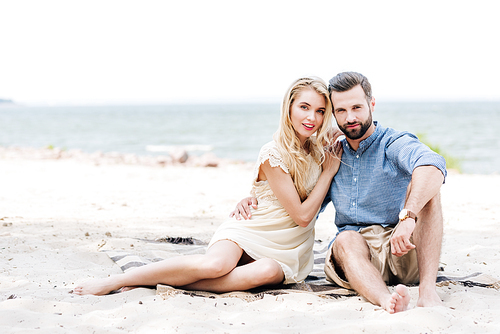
x=292 y=176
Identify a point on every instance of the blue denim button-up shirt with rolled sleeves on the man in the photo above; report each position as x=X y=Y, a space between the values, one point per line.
x=370 y=186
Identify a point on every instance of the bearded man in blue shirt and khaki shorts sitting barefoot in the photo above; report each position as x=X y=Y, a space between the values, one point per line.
x=387 y=204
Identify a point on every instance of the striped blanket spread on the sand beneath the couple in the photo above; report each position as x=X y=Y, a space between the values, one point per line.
x=316 y=283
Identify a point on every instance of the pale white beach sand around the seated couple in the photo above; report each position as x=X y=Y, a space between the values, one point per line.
x=56 y=216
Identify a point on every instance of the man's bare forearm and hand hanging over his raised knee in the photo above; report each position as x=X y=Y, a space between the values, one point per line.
x=425 y=183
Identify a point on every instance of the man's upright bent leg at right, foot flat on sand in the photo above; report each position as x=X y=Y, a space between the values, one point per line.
x=427 y=237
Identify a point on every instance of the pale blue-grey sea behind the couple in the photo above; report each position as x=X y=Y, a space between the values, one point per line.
x=465 y=132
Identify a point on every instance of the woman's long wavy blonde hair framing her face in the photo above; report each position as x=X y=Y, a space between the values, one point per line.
x=287 y=141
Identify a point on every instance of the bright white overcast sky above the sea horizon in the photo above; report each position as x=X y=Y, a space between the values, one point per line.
x=153 y=52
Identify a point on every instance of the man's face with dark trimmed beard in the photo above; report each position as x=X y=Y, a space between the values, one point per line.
x=352 y=113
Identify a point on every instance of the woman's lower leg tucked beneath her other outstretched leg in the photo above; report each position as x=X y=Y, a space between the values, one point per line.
x=245 y=277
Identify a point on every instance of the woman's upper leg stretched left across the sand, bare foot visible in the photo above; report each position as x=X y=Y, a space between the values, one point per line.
x=219 y=260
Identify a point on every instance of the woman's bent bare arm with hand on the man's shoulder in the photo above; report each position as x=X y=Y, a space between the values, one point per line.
x=282 y=185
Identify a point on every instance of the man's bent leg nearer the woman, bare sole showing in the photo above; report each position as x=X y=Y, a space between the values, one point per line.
x=352 y=255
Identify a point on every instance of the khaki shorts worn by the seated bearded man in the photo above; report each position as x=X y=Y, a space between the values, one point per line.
x=394 y=270
